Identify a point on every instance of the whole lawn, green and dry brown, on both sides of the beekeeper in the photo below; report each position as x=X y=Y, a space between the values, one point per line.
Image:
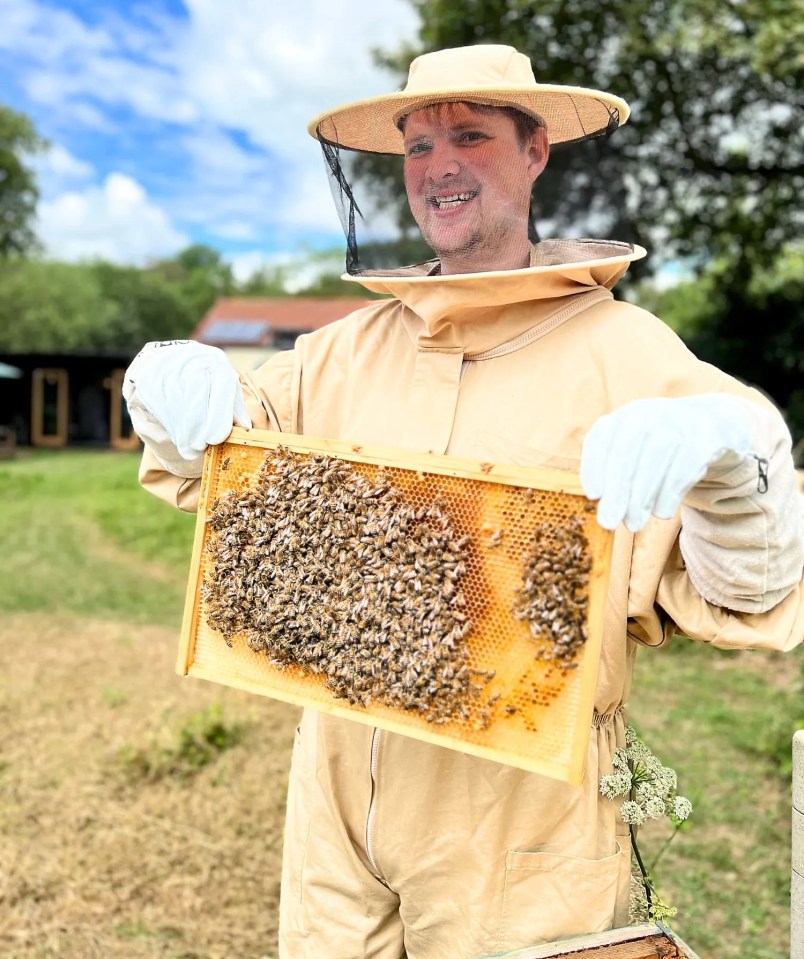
x=141 y=813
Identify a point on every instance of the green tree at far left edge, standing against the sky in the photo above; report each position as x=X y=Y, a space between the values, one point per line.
x=18 y=191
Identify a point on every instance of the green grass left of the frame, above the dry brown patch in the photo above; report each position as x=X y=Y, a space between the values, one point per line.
x=80 y=536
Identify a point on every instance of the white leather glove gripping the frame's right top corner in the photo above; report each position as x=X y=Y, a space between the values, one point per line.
x=643 y=458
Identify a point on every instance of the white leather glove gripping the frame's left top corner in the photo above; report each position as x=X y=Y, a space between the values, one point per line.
x=183 y=396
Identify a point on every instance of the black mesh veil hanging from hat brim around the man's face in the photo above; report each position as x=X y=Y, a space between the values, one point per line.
x=452 y=175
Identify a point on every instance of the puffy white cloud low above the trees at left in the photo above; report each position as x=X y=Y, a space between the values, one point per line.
x=115 y=221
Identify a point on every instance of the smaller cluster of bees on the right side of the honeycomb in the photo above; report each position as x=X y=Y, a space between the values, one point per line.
x=553 y=595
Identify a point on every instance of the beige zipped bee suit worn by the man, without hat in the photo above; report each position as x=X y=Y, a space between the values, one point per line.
x=394 y=847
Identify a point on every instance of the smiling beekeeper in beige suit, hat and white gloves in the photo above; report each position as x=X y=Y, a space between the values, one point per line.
x=496 y=350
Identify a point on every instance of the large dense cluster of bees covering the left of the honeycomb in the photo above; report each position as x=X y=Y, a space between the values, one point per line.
x=323 y=569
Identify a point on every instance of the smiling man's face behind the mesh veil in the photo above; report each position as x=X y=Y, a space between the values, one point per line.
x=469 y=180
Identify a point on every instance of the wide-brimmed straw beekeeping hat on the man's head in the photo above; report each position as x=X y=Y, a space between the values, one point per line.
x=491 y=74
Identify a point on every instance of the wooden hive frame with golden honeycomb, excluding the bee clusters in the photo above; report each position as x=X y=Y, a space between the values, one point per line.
x=548 y=728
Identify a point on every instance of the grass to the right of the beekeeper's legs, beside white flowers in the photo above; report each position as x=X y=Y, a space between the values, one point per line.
x=724 y=721
